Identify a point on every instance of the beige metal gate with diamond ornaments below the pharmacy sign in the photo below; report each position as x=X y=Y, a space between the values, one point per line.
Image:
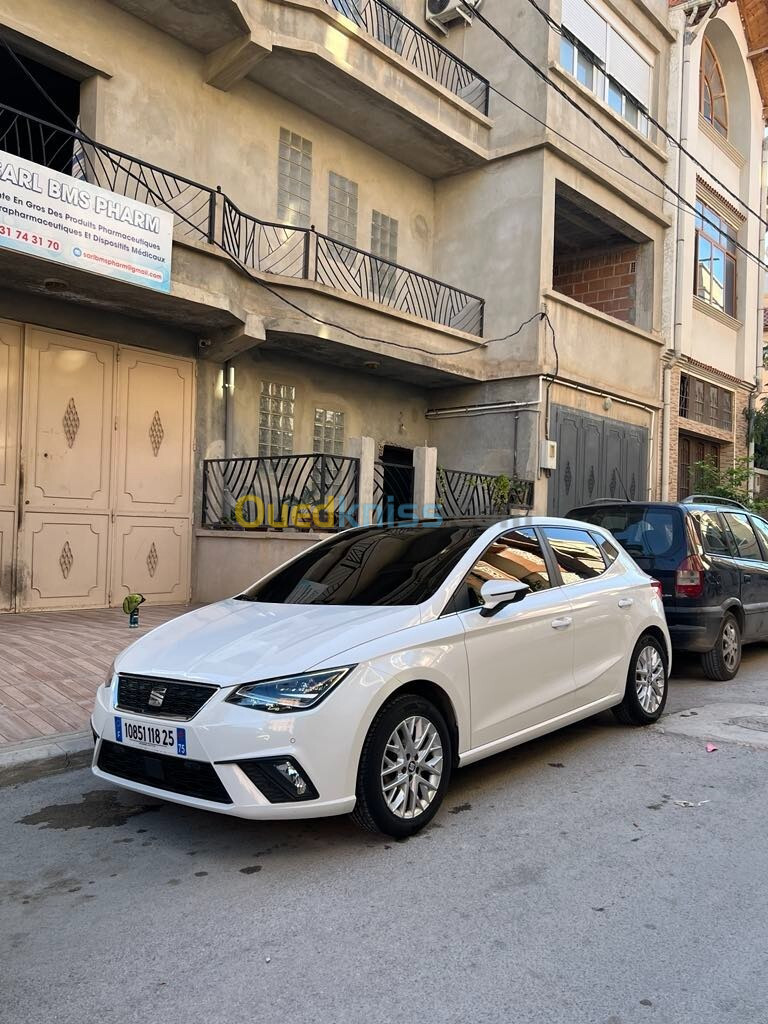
x=106 y=474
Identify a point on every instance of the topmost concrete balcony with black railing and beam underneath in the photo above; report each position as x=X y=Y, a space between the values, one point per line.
x=359 y=65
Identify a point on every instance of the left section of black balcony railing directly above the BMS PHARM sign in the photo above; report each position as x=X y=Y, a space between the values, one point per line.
x=71 y=153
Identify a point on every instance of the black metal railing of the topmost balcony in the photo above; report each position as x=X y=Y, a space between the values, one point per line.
x=414 y=46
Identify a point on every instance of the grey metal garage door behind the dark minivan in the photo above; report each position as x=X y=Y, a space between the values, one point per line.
x=596 y=458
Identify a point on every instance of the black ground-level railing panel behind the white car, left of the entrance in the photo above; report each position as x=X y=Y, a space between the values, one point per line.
x=297 y=492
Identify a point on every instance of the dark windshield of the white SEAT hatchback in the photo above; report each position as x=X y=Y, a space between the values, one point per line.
x=371 y=566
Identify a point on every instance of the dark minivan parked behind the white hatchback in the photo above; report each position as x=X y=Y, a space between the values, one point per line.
x=711 y=557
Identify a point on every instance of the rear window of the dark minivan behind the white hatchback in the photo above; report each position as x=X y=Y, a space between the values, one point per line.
x=644 y=532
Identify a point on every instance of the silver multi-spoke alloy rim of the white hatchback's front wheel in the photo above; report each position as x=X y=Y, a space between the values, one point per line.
x=412 y=767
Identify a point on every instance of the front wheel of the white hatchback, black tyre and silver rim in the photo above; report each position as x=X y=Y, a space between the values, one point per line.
x=405 y=767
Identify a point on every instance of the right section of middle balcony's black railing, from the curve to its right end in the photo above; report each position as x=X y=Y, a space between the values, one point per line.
x=305 y=253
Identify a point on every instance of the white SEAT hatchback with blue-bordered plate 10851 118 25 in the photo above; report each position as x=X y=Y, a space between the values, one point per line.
x=359 y=676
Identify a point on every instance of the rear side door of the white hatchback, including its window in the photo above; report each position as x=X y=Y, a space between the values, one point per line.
x=603 y=603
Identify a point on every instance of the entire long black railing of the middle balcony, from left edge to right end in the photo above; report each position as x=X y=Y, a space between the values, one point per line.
x=202 y=215
